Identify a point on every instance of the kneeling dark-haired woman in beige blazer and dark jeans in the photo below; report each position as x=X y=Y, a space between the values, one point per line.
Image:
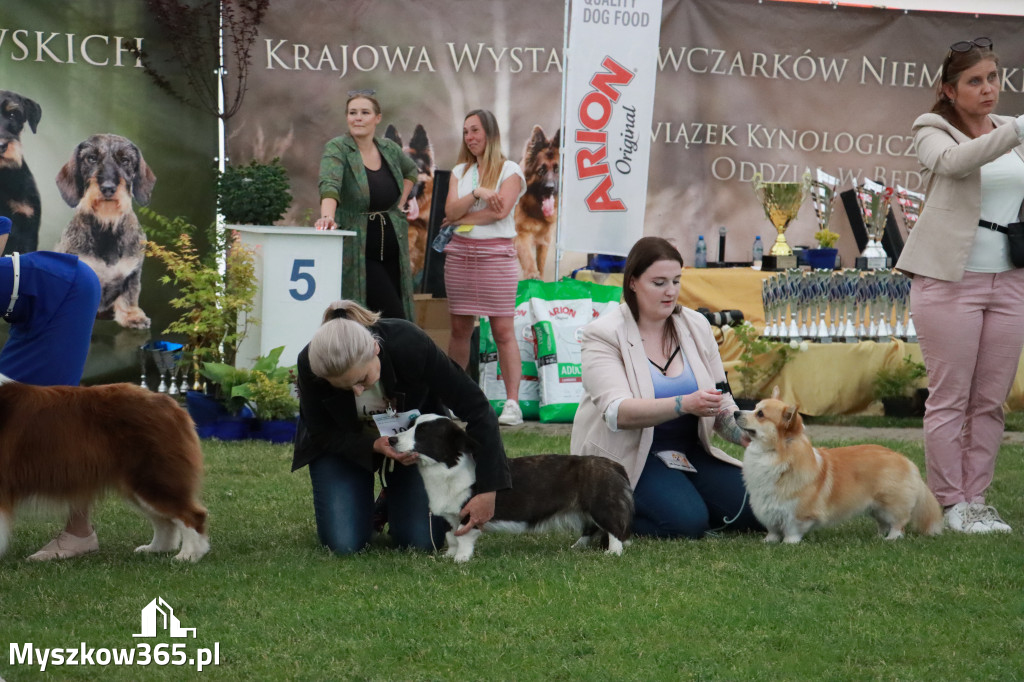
x=652 y=376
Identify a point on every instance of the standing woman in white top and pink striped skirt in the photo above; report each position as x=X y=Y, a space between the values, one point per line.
x=482 y=271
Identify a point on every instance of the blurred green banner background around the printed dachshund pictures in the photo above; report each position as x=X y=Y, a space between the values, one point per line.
x=72 y=60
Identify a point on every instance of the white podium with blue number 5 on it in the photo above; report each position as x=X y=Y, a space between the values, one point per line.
x=298 y=271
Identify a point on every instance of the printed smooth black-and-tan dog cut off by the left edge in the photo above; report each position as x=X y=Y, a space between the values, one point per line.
x=19 y=195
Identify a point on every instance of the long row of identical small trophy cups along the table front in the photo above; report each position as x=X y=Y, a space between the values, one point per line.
x=848 y=307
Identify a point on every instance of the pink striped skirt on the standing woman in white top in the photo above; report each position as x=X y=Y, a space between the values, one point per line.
x=482 y=277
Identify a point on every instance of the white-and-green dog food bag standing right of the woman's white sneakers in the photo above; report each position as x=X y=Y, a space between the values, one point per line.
x=561 y=309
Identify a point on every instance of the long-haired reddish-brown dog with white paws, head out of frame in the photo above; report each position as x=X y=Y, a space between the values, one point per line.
x=68 y=445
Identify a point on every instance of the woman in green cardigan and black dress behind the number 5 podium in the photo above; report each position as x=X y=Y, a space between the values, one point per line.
x=365 y=182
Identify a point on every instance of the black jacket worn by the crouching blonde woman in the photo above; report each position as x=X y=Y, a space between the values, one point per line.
x=415 y=374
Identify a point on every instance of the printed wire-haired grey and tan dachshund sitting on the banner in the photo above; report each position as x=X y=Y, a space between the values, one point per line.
x=104 y=175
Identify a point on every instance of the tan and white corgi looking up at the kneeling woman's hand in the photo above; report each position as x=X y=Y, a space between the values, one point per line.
x=796 y=488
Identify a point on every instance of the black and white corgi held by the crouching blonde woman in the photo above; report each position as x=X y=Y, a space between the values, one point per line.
x=590 y=495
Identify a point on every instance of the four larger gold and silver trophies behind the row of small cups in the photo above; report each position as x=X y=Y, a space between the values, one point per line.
x=782 y=202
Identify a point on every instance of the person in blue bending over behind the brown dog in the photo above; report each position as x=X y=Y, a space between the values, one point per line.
x=51 y=302
